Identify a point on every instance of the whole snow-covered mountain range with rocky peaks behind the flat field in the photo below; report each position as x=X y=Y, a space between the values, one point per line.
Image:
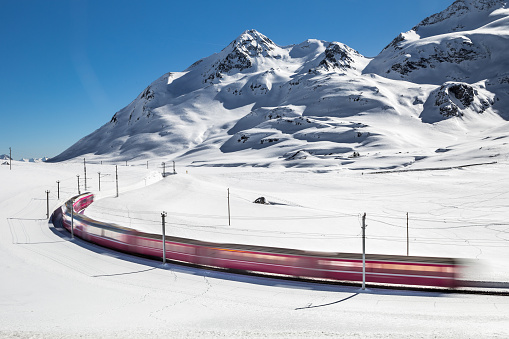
x=443 y=84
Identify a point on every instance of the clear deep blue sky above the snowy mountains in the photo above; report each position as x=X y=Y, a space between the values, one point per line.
x=67 y=66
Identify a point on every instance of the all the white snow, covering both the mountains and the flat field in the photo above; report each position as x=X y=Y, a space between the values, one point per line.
x=325 y=135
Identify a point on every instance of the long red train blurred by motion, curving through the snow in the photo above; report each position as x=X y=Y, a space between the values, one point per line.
x=384 y=269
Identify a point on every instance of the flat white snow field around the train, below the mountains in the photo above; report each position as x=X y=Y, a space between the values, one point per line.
x=51 y=286
